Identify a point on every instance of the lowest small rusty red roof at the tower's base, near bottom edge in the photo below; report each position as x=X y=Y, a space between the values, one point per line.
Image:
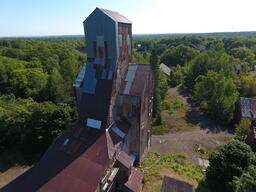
x=134 y=182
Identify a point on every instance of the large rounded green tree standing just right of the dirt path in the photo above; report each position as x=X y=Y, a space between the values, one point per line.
x=217 y=96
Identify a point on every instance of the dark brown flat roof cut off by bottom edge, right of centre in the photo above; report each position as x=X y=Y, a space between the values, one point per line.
x=173 y=185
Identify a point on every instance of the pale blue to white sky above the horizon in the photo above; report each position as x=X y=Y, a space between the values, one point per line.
x=65 y=17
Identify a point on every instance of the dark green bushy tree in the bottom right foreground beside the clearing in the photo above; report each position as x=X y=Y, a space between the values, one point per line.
x=228 y=161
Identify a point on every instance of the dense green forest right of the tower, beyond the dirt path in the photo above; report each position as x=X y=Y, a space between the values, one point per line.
x=216 y=71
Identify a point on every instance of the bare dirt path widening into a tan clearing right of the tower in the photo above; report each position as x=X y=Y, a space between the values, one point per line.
x=197 y=137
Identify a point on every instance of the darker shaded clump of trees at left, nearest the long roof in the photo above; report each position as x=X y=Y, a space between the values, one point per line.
x=29 y=125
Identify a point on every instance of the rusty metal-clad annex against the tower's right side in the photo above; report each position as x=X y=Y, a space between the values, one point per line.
x=136 y=106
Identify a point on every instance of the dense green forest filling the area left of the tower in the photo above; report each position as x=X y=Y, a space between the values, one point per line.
x=36 y=94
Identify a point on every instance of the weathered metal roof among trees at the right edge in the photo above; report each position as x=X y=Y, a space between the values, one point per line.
x=248 y=107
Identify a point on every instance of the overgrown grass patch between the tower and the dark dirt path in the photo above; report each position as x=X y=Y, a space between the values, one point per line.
x=173 y=115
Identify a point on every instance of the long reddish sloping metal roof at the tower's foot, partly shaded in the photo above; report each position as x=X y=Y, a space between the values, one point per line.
x=77 y=165
